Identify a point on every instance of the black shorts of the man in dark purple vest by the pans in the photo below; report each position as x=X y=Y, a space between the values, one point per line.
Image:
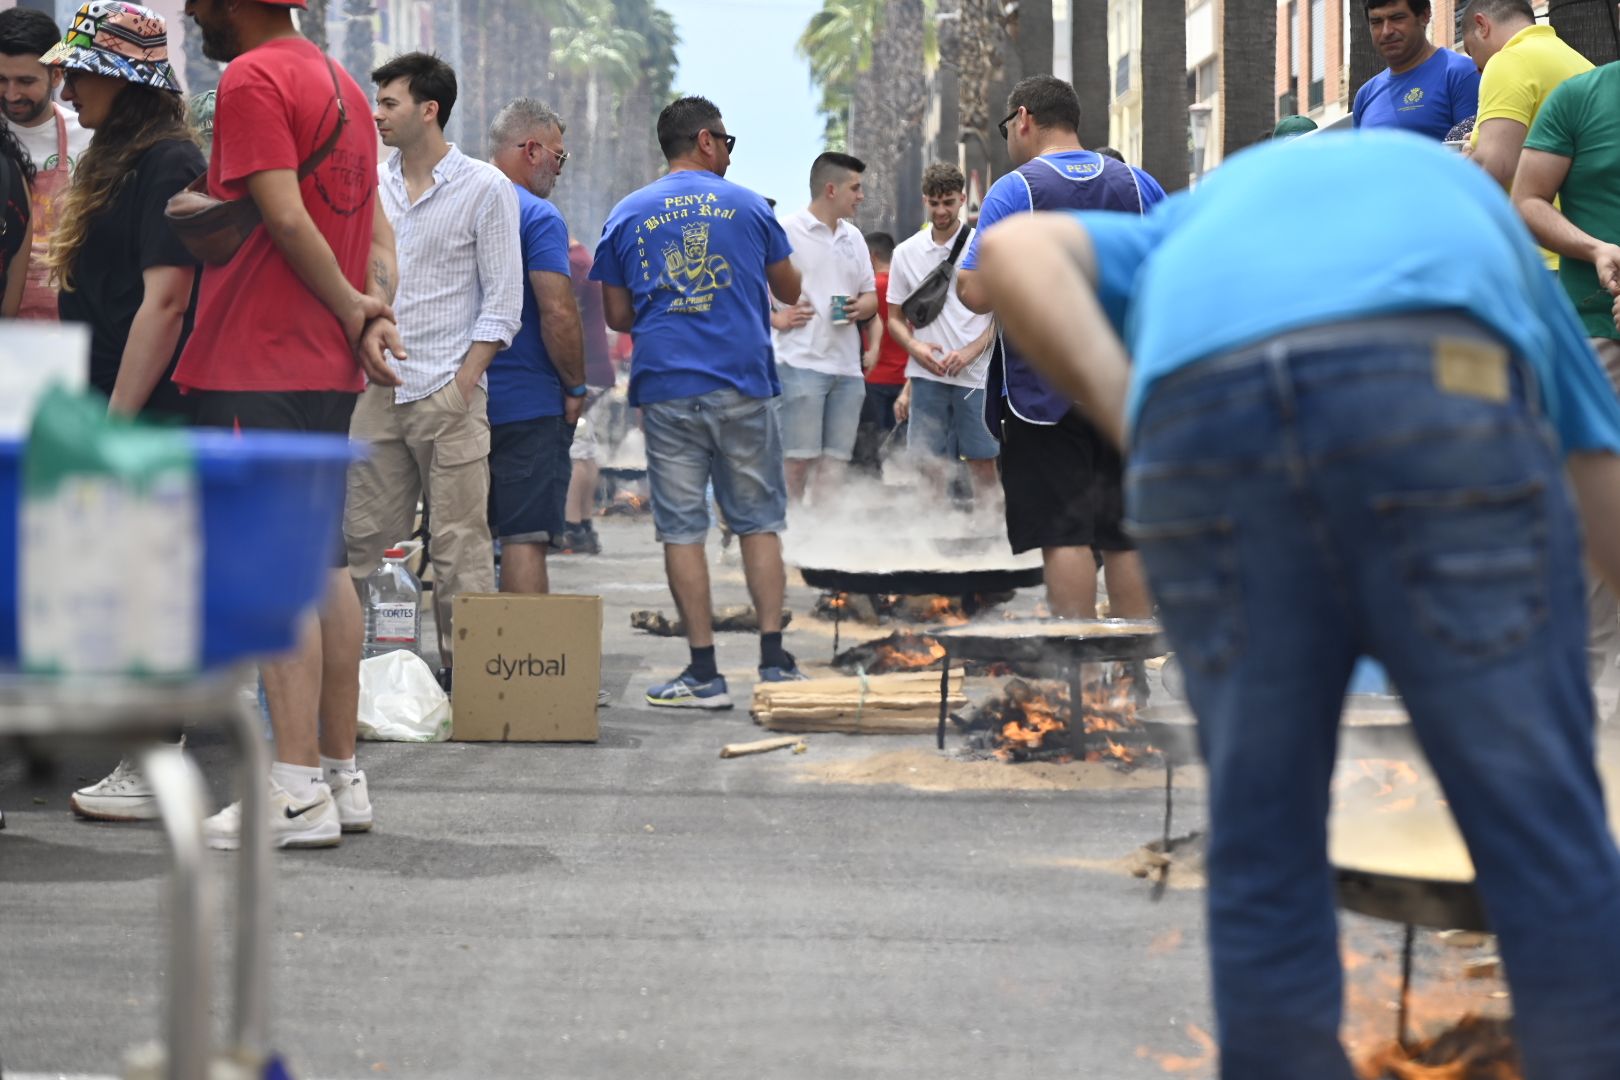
x=1065 y=487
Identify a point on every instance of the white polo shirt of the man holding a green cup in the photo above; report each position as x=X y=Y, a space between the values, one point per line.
x=832 y=263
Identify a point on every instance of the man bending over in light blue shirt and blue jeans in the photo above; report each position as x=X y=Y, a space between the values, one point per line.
x=1371 y=466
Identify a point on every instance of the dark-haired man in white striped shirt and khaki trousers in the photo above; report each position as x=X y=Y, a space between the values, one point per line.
x=459 y=304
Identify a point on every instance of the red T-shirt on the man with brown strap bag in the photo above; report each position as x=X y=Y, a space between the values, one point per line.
x=258 y=328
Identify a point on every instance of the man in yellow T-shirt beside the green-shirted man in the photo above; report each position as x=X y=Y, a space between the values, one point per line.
x=1520 y=64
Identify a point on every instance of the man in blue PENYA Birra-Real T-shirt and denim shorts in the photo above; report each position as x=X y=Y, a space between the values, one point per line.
x=686 y=265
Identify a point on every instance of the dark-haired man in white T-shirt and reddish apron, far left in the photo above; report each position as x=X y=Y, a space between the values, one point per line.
x=51 y=135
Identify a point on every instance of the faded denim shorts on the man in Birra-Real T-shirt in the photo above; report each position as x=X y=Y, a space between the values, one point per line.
x=720 y=438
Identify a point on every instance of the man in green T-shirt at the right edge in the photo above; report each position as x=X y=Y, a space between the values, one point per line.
x=1574 y=155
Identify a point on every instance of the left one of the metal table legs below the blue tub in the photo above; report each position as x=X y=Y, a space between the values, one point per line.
x=177 y=784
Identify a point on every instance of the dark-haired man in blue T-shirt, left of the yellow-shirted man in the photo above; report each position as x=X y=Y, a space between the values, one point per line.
x=1425 y=90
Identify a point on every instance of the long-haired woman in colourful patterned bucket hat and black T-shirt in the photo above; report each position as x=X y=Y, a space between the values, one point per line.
x=121 y=266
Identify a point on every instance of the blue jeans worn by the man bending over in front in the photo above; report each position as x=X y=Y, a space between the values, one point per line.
x=1318 y=500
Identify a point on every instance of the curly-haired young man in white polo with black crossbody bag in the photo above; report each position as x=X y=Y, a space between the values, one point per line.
x=945 y=378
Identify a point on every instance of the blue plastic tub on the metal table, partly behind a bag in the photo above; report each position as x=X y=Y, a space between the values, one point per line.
x=273 y=509
